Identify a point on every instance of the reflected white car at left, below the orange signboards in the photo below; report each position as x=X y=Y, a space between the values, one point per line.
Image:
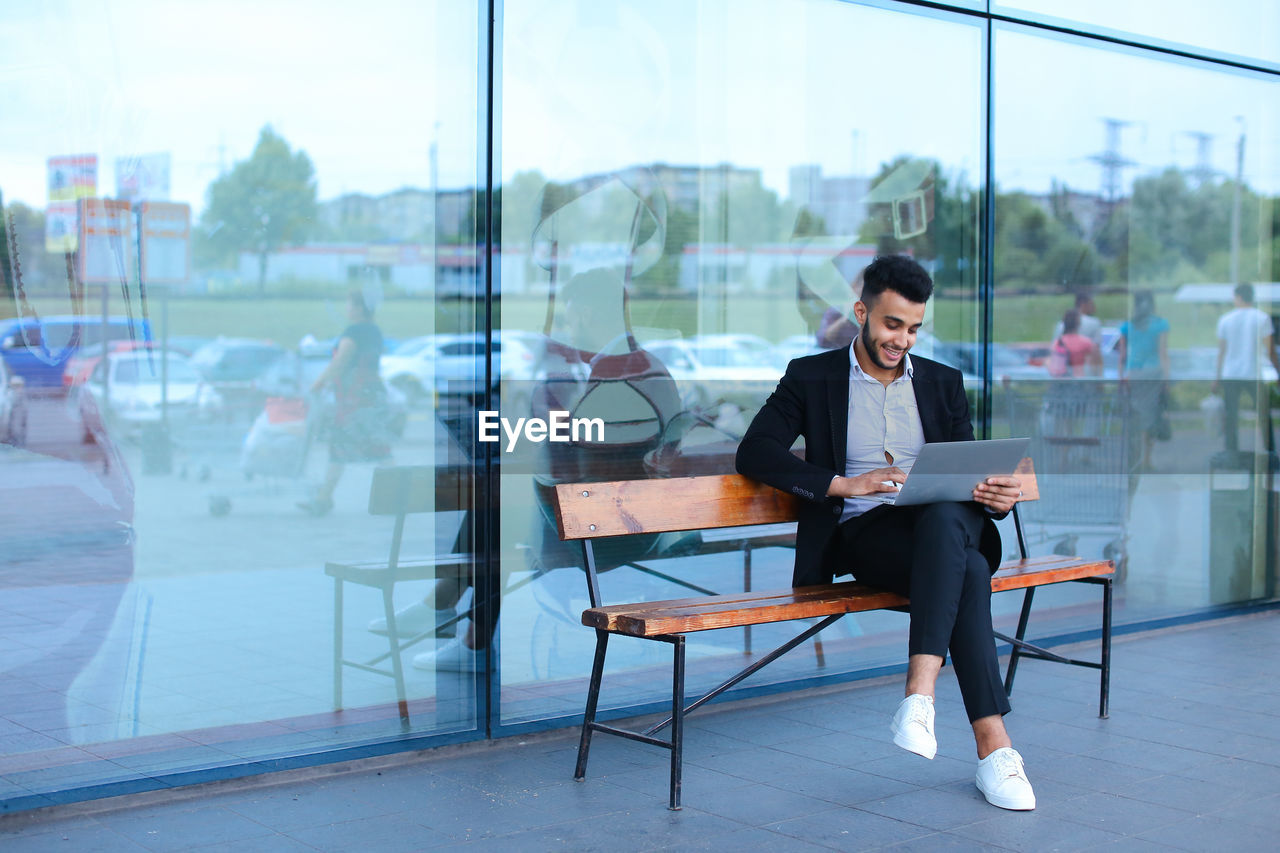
x=134 y=394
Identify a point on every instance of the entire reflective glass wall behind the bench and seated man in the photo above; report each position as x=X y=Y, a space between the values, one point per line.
x=255 y=337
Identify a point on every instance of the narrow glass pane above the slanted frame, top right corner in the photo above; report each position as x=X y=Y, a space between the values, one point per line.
x=1242 y=29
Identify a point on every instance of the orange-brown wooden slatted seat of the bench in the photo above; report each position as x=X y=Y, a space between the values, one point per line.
x=684 y=615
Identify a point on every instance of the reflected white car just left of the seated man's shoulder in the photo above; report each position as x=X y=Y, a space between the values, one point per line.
x=716 y=370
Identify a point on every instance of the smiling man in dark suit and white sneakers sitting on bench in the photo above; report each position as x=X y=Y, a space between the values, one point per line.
x=865 y=413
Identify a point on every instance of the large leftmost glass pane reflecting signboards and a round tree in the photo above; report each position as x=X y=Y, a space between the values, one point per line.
x=250 y=218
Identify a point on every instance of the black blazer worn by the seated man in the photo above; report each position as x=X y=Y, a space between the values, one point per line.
x=812 y=400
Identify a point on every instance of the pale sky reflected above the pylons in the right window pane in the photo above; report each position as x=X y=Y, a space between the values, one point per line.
x=1049 y=124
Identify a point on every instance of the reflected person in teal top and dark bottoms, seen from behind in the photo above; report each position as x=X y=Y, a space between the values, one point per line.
x=1145 y=370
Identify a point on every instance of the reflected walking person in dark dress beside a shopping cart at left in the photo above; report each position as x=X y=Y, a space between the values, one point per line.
x=359 y=432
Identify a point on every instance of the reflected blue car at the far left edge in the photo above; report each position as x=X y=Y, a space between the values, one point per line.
x=38 y=350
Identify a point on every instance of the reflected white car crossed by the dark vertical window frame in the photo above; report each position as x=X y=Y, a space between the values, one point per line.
x=454 y=366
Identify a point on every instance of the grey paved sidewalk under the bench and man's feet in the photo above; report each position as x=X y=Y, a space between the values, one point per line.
x=1190 y=760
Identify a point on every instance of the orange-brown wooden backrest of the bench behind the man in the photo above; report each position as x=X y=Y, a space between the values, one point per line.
x=592 y=510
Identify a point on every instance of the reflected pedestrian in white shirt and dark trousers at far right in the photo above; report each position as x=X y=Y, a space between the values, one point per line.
x=1244 y=343
